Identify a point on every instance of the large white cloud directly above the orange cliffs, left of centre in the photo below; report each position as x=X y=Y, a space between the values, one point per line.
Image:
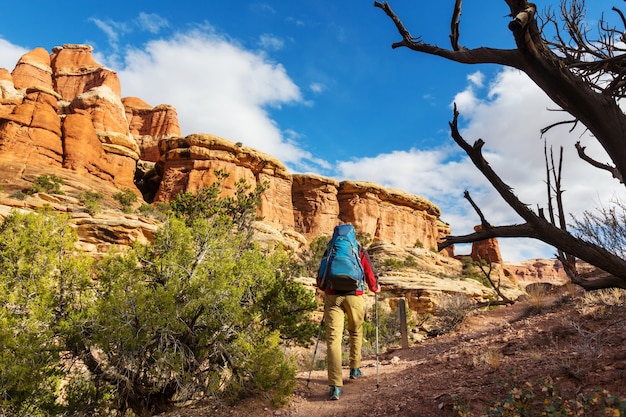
x=216 y=87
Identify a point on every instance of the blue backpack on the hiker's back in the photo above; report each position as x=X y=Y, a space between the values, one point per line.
x=341 y=269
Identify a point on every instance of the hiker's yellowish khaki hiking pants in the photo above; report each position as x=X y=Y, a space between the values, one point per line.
x=334 y=308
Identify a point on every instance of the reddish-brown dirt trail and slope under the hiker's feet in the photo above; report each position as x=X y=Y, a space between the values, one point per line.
x=578 y=348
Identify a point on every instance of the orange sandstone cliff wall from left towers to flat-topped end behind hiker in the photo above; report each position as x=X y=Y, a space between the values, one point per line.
x=62 y=113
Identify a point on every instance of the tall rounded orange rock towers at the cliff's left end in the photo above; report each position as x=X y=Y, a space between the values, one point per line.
x=63 y=111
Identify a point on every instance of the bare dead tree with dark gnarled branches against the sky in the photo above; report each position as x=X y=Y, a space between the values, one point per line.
x=585 y=77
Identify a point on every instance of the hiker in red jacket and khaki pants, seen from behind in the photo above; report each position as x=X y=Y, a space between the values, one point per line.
x=348 y=301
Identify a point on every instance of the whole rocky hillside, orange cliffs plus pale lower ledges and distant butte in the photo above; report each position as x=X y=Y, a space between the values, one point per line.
x=62 y=114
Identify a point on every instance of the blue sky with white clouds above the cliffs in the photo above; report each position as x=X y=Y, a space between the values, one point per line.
x=316 y=84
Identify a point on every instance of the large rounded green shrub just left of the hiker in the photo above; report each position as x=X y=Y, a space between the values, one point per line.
x=188 y=307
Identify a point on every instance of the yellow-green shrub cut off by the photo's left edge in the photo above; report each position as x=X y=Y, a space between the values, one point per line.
x=41 y=279
